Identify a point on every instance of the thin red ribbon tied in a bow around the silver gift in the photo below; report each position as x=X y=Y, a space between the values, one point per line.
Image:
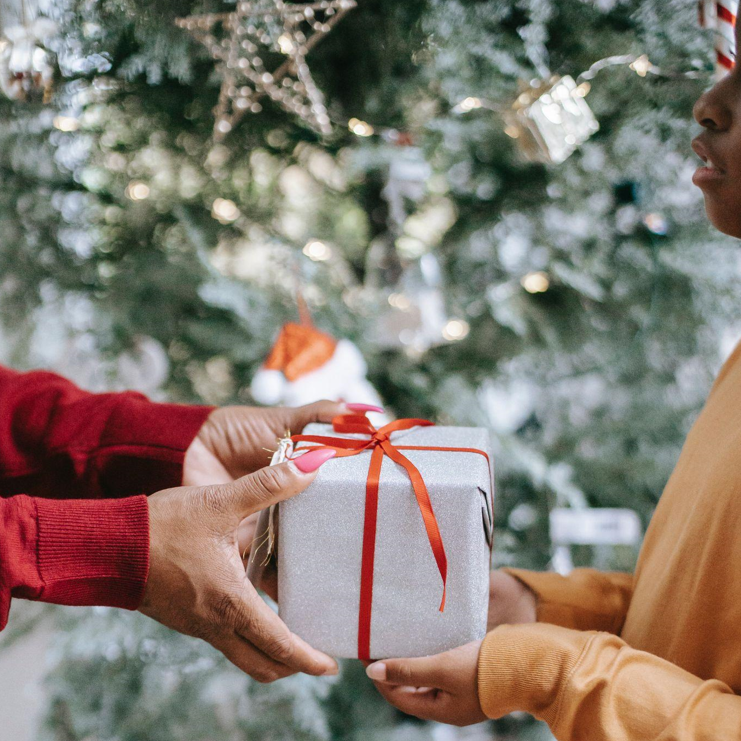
x=380 y=445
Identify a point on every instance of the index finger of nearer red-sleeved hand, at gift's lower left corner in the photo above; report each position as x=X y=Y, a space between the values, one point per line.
x=267 y=632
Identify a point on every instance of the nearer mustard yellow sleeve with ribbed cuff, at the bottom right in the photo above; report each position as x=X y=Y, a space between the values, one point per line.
x=589 y=685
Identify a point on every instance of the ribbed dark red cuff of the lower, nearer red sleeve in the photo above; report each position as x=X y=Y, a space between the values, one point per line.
x=93 y=552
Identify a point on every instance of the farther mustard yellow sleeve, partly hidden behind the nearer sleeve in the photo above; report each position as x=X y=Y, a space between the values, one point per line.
x=586 y=599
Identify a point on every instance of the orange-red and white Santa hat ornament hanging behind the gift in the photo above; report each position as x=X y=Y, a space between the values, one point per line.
x=306 y=365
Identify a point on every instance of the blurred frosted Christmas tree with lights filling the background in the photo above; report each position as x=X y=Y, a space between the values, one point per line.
x=576 y=309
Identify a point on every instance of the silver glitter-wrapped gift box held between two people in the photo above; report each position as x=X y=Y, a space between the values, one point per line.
x=320 y=548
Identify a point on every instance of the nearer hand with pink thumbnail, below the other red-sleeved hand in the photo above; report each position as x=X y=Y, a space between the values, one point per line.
x=197 y=583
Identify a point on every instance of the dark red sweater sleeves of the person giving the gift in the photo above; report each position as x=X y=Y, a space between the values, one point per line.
x=100 y=453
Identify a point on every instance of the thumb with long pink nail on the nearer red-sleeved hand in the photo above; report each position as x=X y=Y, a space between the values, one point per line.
x=268 y=486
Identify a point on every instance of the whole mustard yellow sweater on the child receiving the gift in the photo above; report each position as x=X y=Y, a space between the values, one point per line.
x=655 y=656
